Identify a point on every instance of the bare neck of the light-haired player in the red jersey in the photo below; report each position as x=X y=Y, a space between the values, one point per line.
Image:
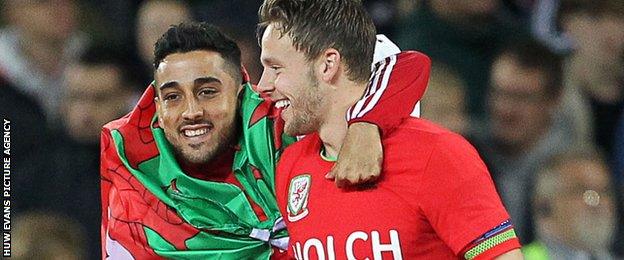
x=334 y=126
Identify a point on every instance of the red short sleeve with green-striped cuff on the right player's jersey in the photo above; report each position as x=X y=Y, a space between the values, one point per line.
x=459 y=199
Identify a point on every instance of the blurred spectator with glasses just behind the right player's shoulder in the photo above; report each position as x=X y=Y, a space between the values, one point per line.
x=523 y=130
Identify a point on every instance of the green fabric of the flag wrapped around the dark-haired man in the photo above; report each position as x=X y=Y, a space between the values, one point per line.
x=228 y=228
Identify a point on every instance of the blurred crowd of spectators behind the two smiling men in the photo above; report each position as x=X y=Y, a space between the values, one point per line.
x=537 y=86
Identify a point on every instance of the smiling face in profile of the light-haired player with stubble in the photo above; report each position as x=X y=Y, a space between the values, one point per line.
x=290 y=80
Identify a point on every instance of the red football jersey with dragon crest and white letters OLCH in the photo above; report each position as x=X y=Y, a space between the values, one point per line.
x=436 y=200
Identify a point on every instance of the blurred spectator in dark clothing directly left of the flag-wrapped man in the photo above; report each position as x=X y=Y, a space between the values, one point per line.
x=99 y=89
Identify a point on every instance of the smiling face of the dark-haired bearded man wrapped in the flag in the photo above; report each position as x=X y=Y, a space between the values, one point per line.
x=197 y=104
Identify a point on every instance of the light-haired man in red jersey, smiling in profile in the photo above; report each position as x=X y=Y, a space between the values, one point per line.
x=435 y=199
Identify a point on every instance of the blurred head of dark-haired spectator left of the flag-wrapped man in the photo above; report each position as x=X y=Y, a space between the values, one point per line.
x=99 y=89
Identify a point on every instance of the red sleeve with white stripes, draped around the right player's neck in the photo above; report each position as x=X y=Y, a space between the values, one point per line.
x=396 y=86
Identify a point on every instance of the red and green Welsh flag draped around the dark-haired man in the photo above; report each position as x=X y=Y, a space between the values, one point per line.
x=151 y=209
